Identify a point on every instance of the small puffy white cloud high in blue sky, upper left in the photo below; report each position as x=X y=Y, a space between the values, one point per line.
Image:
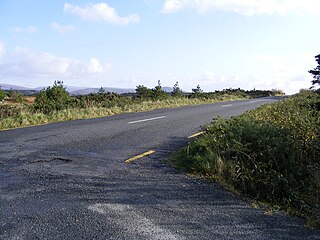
x=100 y=12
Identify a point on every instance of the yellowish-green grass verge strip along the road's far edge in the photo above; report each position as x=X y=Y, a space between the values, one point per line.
x=23 y=116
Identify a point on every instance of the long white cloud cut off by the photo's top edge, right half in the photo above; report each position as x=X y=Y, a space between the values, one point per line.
x=246 y=7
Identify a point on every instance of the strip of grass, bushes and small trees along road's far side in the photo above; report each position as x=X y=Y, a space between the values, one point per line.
x=54 y=103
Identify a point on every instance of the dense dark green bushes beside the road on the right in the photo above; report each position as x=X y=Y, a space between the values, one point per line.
x=271 y=154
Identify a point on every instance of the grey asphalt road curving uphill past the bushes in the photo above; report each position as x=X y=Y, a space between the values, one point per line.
x=70 y=181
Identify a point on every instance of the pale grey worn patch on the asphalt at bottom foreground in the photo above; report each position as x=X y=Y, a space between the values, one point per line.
x=132 y=222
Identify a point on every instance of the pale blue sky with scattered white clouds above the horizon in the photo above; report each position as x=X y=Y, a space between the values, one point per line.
x=218 y=44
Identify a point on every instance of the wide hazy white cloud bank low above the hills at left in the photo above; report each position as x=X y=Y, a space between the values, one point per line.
x=23 y=62
